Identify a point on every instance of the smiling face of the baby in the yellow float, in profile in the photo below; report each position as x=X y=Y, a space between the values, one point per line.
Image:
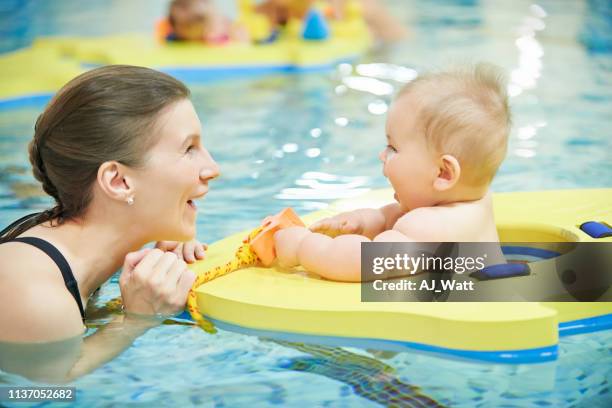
x=407 y=162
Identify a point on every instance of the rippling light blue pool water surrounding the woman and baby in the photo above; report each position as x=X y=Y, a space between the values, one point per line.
x=305 y=140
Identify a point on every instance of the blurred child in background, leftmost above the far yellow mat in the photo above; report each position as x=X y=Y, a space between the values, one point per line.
x=199 y=20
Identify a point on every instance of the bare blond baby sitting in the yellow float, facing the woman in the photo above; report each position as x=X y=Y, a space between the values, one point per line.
x=446 y=137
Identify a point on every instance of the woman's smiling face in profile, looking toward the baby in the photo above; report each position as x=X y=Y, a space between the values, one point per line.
x=176 y=174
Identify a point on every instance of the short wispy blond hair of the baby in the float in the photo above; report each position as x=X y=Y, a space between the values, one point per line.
x=464 y=112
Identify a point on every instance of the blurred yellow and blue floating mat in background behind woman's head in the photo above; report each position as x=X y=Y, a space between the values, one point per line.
x=39 y=71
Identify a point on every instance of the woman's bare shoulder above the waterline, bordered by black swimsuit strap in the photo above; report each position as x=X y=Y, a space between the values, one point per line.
x=34 y=302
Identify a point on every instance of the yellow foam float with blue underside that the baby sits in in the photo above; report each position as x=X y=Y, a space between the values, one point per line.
x=288 y=303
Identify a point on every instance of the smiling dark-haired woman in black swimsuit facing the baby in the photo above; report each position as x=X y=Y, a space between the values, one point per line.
x=119 y=150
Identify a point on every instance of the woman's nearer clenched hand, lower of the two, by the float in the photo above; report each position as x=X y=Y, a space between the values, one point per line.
x=154 y=282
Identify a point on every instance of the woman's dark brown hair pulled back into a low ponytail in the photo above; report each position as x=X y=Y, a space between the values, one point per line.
x=106 y=114
